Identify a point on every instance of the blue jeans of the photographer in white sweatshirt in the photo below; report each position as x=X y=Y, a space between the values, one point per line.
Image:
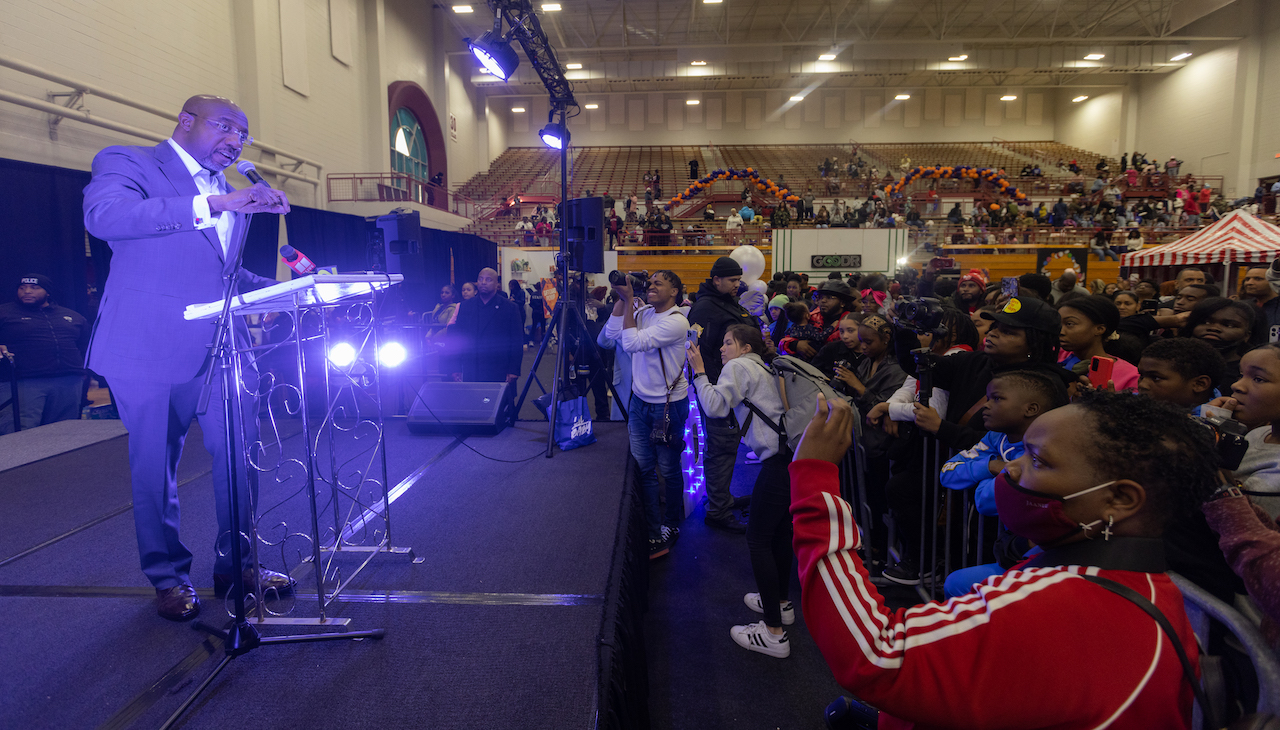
x=655 y=459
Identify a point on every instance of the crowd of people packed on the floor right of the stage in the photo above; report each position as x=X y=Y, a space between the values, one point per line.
x=1069 y=417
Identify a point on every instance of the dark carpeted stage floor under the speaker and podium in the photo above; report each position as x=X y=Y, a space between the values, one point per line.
x=500 y=626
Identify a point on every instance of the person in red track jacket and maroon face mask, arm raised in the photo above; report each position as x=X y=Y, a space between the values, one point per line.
x=1094 y=489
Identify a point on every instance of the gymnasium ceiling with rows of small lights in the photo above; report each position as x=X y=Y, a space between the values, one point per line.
x=653 y=45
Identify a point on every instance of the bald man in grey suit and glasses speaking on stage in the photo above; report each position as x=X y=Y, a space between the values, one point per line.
x=175 y=227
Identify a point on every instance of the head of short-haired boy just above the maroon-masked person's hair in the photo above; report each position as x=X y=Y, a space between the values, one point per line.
x=1181 y=371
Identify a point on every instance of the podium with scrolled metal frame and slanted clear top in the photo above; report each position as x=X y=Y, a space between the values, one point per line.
x=321 y=462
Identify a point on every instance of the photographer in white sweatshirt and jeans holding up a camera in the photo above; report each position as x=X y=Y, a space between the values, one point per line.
x=655 y=337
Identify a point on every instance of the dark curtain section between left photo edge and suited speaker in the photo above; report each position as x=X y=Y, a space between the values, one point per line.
x=43 y=231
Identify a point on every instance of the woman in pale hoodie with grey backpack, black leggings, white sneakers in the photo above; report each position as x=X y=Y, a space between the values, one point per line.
x=769 y=531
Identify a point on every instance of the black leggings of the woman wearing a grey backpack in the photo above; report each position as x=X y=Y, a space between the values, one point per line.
x=769 y=536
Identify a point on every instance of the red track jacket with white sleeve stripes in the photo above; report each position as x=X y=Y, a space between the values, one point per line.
x=1034 y=649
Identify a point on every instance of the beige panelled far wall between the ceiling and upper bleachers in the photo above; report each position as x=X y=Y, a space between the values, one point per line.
x=836 y=117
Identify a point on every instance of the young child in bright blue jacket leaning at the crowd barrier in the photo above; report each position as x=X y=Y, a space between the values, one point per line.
x=1016 y=399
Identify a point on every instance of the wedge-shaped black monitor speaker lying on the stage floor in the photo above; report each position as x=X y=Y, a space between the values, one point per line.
x=459 y=409
